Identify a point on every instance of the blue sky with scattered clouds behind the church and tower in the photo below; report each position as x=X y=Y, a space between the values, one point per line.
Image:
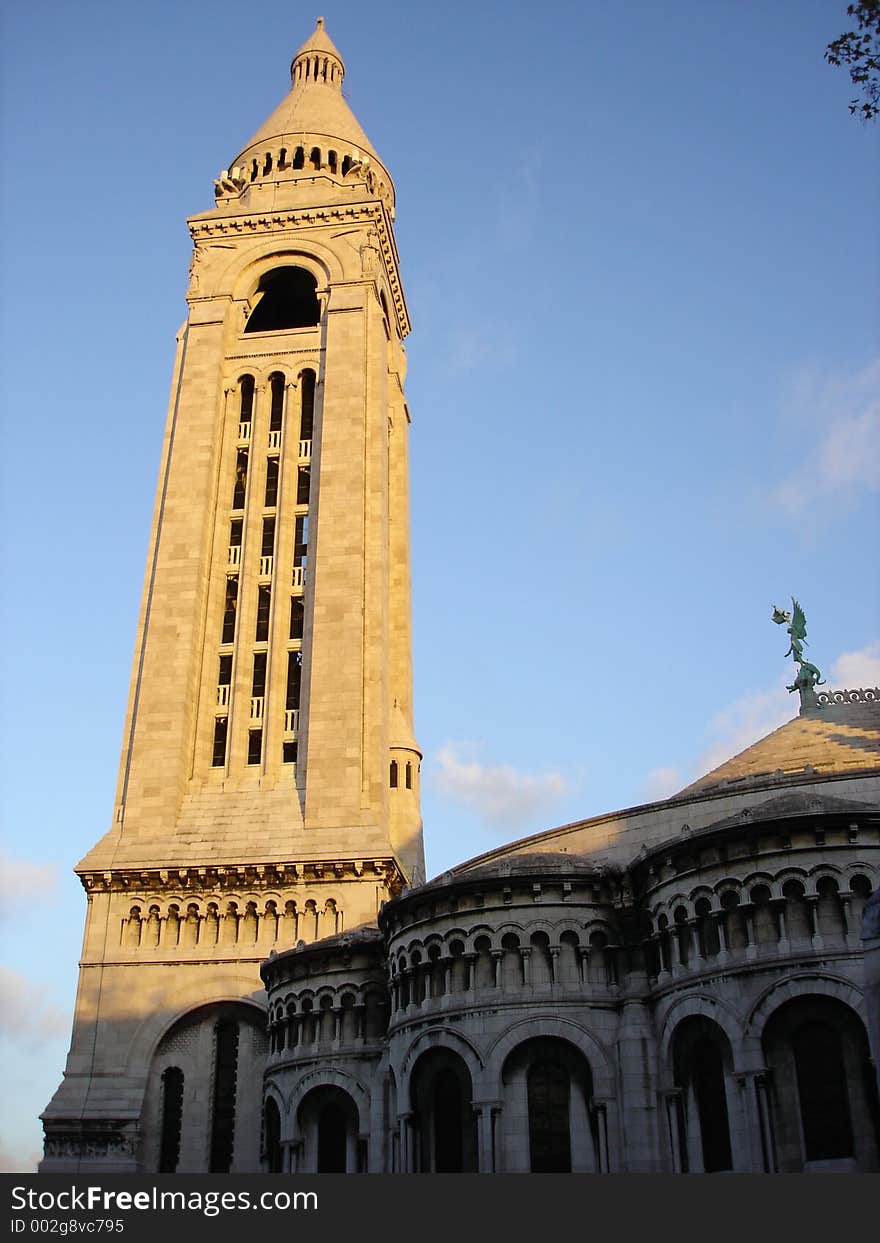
x=639 y=254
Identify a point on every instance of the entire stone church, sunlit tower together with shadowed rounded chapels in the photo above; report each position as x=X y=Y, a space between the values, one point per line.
x=267 y=981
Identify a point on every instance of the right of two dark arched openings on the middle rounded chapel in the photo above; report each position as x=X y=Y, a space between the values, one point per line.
x=548 y=1126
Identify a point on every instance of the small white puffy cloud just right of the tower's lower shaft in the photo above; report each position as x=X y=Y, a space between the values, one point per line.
x=500 y=795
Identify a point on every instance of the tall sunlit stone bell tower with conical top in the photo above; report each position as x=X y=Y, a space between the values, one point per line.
x=269 y=785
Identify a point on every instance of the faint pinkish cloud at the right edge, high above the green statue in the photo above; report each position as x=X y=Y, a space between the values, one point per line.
x=840 y=418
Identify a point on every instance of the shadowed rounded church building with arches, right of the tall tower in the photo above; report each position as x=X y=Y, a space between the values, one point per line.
x=678 y=988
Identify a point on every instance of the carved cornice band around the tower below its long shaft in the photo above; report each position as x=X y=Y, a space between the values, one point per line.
x=237 y=877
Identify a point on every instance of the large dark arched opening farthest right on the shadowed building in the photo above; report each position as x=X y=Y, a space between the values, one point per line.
x=823 y=1092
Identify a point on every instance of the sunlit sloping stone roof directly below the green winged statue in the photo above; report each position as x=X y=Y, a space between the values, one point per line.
x=840 y=738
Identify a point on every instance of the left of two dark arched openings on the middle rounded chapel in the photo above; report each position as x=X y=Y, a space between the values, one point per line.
x=444 y=1126
